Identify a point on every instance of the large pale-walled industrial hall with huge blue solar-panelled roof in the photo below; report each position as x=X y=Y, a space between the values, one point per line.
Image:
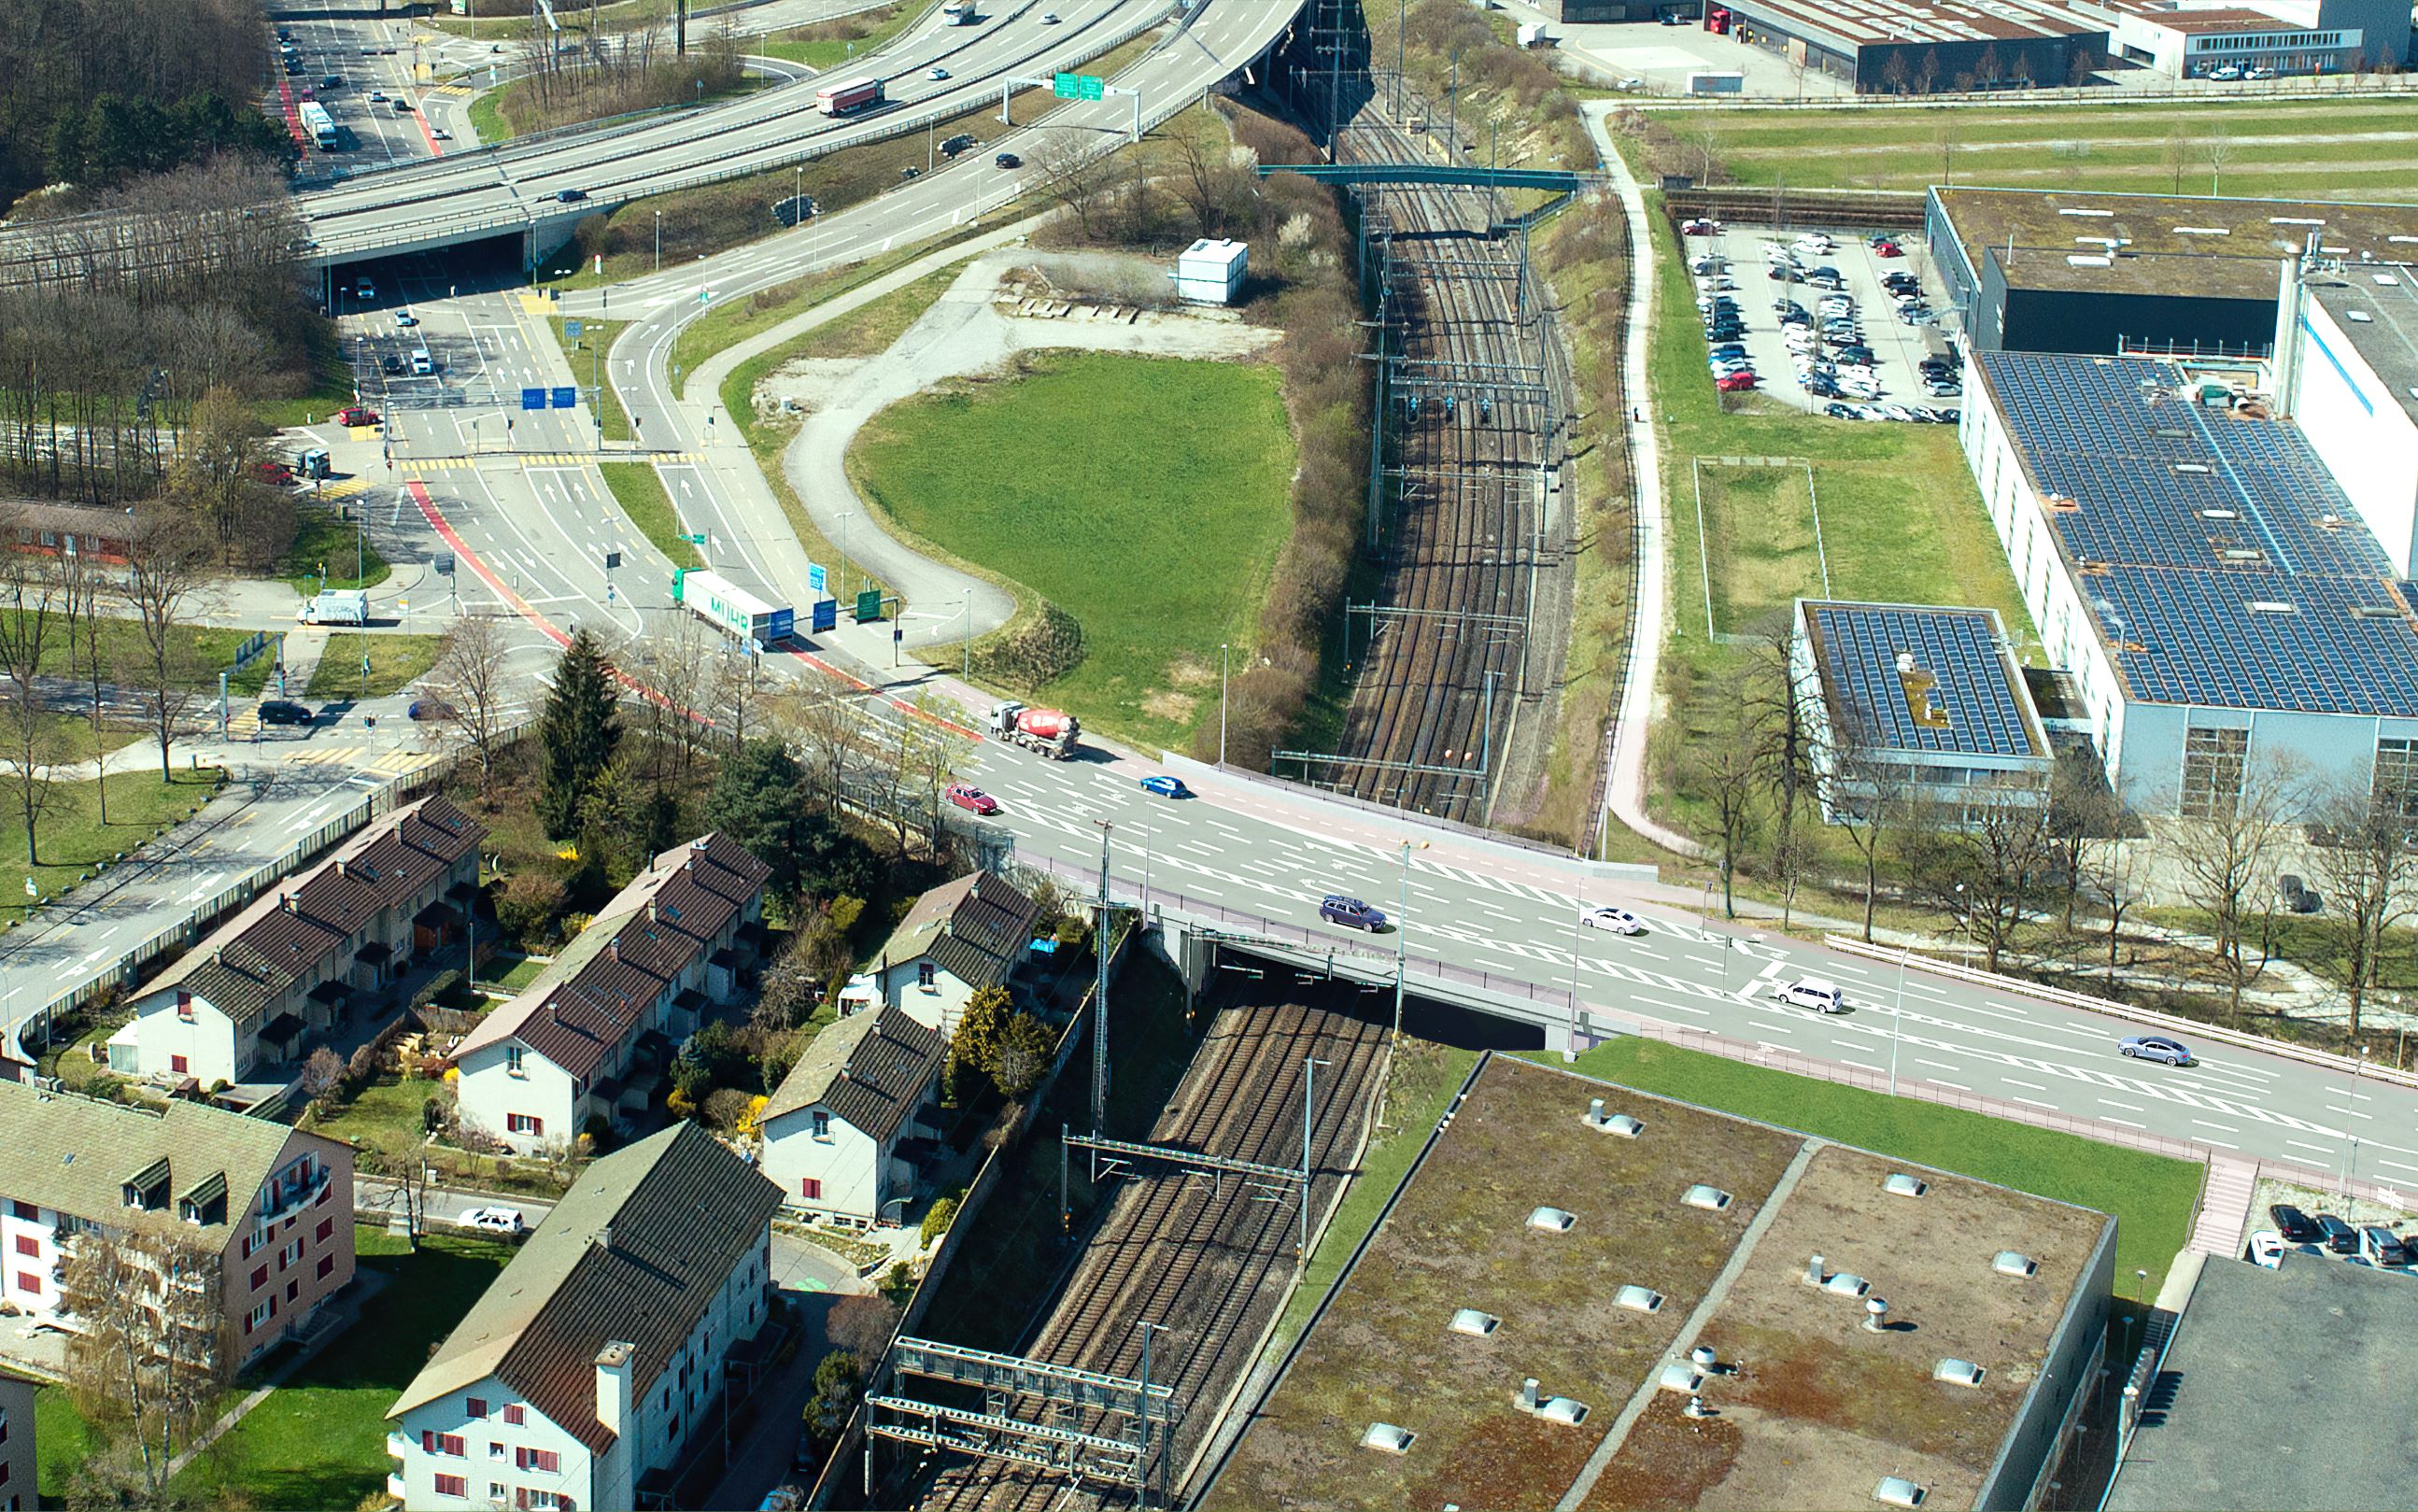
x=2202 y=575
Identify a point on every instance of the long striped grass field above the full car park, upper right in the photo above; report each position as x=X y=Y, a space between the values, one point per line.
x=2303 y=149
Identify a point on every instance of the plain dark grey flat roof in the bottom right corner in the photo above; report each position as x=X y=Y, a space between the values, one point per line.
x=2279 y=1392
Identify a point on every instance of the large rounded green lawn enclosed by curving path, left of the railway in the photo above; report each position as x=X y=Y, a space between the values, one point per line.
x=1068 y=485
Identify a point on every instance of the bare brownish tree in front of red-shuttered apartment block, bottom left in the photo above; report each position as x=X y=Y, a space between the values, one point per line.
x=151 y=1356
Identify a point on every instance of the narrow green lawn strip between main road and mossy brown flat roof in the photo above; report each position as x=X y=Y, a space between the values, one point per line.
x=2151 y=1196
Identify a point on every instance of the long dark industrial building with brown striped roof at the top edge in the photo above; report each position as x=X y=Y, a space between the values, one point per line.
x=1924 y=47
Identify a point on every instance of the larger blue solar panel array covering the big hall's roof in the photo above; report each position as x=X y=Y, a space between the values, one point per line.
x=2221 y=558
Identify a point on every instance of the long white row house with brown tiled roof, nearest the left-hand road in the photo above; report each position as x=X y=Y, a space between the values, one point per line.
x=308 y=952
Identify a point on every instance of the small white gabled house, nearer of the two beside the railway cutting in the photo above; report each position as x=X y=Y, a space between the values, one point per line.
x=843 y=1129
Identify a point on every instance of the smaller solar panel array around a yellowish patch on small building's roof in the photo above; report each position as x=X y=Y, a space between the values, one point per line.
x=1986 y=710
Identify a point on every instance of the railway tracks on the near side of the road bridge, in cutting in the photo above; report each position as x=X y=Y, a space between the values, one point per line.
x=1191 y=1257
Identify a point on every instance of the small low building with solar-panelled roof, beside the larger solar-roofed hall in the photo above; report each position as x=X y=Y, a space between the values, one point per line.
x=1916 y=703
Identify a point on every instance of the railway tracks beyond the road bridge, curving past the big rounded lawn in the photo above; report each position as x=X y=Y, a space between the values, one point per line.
x=1445 y=666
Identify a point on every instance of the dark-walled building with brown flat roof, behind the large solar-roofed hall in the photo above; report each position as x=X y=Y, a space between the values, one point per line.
x=2139 y=272
